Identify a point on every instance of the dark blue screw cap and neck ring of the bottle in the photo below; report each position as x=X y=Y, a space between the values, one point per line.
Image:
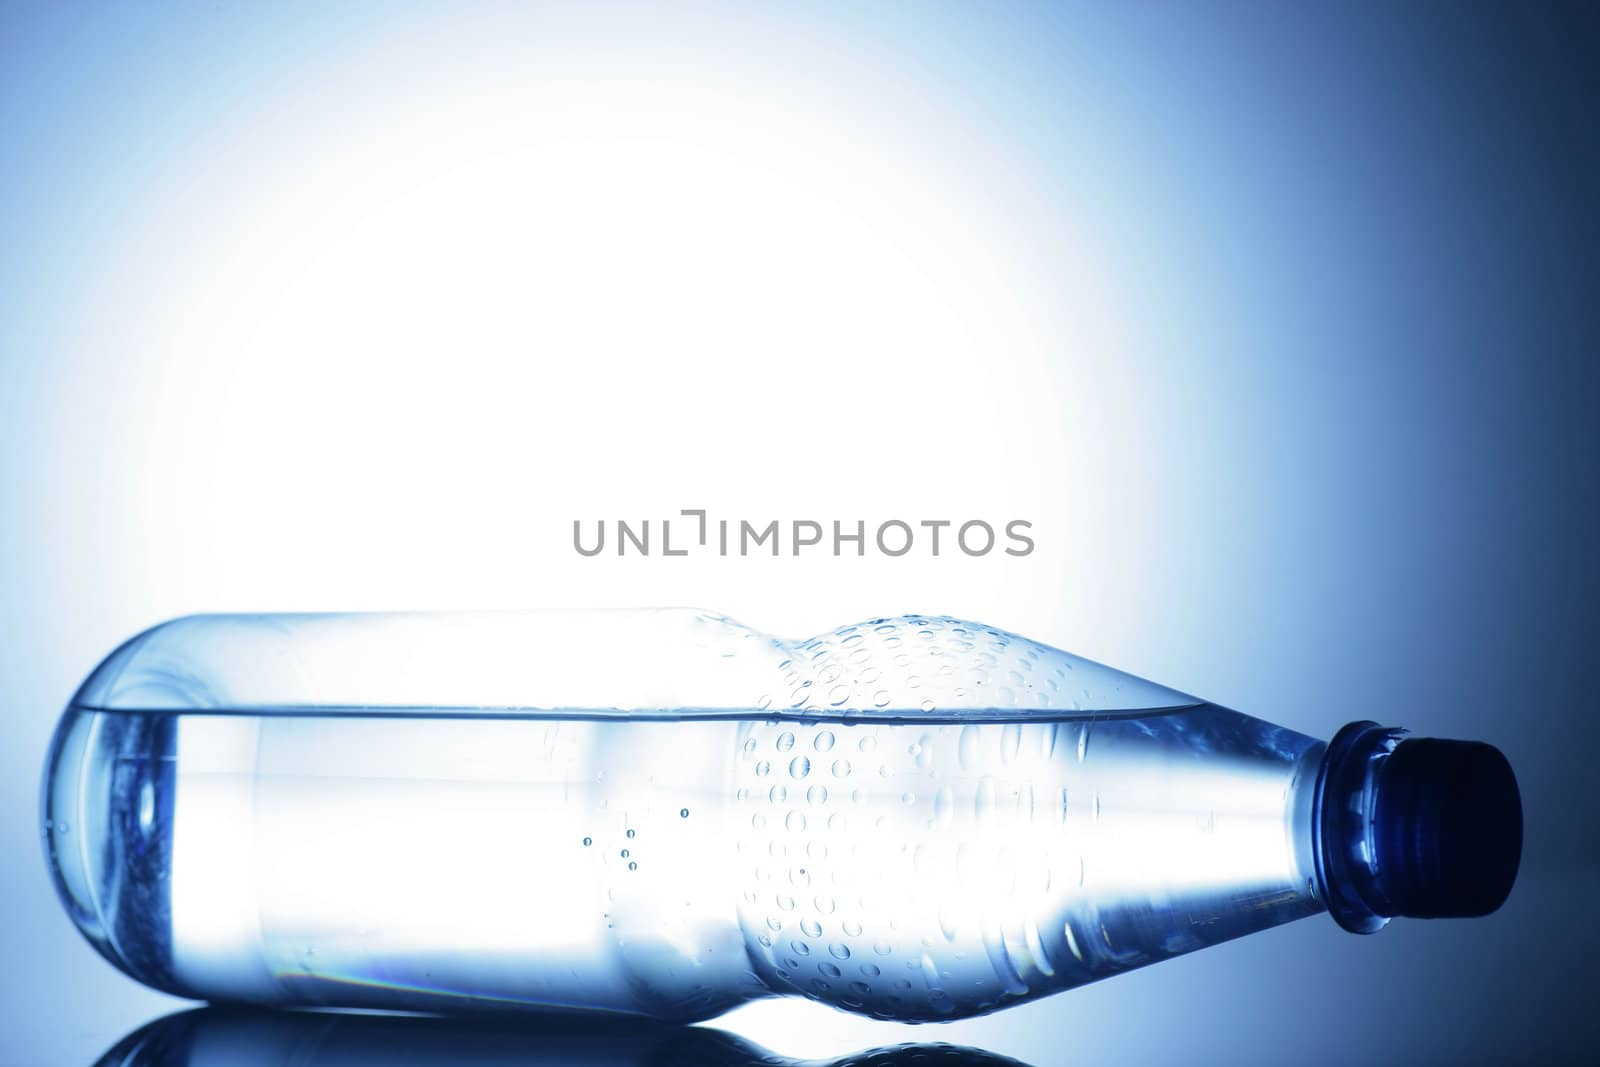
x=1412 y=826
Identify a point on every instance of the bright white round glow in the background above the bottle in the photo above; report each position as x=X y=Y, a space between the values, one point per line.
x=393 y=369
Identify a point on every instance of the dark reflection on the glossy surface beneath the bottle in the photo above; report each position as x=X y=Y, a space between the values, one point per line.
x=218 y=1037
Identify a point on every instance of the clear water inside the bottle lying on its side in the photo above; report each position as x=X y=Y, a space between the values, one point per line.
x=674 y=863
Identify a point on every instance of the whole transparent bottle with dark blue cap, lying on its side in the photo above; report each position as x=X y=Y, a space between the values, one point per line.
x=665 y=813
